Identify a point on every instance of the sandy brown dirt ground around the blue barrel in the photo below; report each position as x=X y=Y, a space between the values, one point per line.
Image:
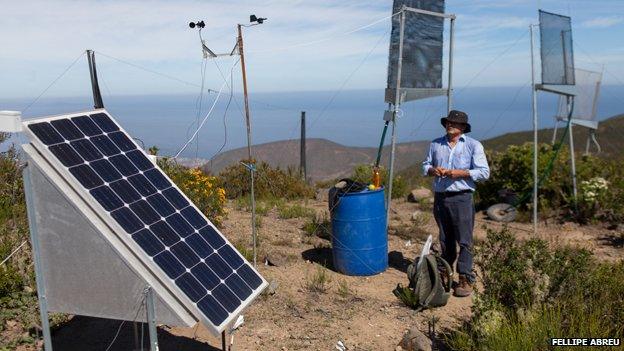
x=360 y=312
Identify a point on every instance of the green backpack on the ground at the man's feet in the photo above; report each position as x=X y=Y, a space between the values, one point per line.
x=427 y=288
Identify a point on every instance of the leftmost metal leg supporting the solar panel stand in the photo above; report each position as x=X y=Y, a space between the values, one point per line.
x=39 y=278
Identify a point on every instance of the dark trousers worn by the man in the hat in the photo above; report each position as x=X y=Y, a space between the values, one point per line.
x=454 y=214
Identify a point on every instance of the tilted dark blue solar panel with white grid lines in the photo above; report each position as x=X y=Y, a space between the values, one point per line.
x=172 y=236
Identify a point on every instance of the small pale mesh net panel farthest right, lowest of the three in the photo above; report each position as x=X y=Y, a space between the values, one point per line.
x=586 y=98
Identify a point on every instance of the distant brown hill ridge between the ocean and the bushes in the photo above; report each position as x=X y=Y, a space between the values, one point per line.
x=330 y=160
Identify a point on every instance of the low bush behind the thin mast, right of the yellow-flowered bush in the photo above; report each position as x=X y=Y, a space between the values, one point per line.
x=269 y=182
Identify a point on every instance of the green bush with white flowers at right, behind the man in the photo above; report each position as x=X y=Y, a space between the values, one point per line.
x=597 y=200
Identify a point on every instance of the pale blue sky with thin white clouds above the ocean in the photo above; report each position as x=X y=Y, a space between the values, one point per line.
x=147 y=47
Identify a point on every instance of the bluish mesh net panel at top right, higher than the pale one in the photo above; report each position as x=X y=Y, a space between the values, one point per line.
x=556 y=49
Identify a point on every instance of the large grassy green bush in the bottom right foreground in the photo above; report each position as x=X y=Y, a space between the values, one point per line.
x=532 y=293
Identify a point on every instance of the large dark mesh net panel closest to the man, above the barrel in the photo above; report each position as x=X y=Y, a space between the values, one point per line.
x=422 y=45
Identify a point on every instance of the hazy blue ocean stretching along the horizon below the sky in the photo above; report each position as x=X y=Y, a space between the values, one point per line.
x=352 y=118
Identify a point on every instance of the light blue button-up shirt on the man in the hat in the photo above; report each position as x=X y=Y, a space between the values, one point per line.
x=467 y=154
